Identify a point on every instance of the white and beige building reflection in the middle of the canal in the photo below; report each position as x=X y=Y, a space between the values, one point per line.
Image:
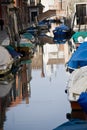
x=49 y=55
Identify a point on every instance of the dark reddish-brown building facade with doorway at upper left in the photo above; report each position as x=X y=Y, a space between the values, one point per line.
x=28 y=10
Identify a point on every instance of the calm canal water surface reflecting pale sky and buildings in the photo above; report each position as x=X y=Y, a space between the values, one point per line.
x=37 y=99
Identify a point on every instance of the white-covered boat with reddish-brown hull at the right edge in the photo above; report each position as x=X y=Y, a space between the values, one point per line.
x=77 y=89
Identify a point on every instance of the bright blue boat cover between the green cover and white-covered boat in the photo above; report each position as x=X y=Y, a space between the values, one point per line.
x=79 y=57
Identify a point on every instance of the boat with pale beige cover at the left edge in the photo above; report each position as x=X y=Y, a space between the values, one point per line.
x=6 y=61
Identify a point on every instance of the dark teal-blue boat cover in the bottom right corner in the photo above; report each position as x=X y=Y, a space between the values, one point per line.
x=73 y=124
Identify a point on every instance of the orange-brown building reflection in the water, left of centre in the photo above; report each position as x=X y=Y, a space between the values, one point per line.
x=22 y=90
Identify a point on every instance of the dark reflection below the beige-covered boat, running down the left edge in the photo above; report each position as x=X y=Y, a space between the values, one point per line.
x=6 y=85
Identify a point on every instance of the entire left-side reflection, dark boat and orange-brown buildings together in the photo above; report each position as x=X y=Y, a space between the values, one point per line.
x=17 y=88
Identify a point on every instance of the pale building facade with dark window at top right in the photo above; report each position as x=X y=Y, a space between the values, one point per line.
x=78 y=13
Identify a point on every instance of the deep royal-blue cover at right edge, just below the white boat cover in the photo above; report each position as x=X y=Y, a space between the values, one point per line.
x=83 y=101
